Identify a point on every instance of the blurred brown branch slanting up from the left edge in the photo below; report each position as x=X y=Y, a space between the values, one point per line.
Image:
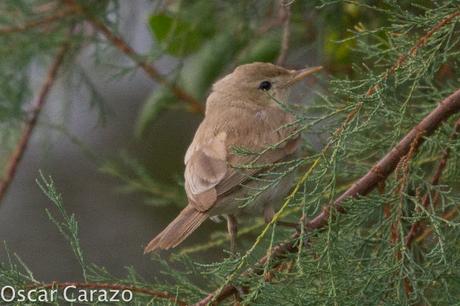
x=37 y=106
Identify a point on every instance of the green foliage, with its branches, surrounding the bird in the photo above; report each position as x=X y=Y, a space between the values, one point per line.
x=378 y=191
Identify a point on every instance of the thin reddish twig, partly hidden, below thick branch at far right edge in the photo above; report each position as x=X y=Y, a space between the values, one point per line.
x=416 y=227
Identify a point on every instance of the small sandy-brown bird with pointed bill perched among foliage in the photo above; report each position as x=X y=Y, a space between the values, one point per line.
x=242 y=111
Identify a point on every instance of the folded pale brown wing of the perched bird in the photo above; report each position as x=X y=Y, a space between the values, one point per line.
x=210 y=166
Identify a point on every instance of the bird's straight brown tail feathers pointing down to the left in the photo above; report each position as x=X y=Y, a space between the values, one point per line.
x=180 y=228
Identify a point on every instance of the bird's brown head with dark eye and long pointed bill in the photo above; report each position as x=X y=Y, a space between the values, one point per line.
x=261 y=83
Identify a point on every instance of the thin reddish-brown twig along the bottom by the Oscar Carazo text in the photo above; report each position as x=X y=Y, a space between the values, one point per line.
x=139 y=290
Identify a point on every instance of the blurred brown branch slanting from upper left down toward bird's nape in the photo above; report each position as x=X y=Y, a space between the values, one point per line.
x=124 y=47
